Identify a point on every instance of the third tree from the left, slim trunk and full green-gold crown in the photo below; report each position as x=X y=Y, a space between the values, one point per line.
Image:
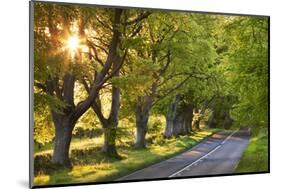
x=162 y=61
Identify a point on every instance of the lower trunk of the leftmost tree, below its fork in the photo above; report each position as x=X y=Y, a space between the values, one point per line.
x=63 y=134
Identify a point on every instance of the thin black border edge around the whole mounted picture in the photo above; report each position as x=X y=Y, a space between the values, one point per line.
x=31 y=94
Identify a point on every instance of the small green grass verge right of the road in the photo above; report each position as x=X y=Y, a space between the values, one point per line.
x=255 y=157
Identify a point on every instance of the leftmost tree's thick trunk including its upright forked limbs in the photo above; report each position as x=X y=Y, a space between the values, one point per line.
x=63 y=121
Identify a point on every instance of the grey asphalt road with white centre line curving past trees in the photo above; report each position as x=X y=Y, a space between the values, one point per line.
x=218 y=154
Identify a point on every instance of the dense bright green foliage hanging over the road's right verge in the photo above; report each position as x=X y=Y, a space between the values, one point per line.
x=248 y=67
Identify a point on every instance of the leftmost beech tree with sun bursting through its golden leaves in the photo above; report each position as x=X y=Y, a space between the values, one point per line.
x=54 y=25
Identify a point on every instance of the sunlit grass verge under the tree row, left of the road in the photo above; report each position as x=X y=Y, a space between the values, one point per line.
x=98 y=168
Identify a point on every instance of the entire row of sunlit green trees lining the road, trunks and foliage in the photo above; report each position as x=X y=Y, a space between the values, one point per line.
x=109 y=64
